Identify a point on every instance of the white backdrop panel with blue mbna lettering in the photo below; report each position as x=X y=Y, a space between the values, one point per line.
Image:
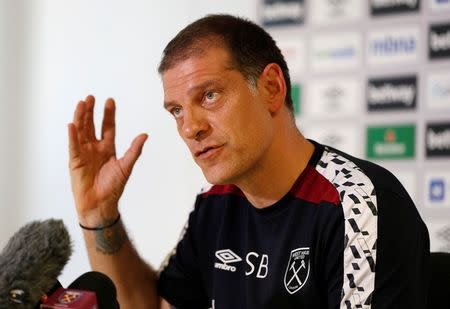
x=399 y=46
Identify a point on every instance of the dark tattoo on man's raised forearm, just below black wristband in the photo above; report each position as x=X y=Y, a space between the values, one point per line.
x=110 y=240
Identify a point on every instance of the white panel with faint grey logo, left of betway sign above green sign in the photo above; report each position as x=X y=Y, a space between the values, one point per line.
x=333 y=98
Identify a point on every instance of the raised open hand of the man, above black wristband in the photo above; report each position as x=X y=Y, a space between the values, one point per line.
x=98 y=177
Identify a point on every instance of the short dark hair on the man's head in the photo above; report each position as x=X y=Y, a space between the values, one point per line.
x=251 y=48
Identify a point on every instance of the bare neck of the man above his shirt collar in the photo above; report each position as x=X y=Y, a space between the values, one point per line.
x=275 y=175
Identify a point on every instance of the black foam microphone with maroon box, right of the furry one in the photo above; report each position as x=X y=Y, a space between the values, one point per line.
x=91 y=290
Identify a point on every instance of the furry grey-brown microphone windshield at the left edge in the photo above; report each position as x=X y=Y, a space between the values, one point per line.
x=31 y=263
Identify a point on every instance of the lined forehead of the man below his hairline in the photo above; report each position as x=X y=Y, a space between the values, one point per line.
x=211 y=64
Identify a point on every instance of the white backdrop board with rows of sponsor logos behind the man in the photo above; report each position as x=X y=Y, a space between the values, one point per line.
x=372 y=78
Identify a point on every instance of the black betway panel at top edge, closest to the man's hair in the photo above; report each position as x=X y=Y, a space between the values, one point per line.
x=283 y=10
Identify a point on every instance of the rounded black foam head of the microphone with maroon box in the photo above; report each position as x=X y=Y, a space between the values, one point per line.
x=102 y=285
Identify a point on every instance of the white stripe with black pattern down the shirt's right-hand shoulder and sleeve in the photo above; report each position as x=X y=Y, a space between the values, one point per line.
x=359 y=205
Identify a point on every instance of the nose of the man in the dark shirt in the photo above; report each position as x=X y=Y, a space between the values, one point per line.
x=194 y=124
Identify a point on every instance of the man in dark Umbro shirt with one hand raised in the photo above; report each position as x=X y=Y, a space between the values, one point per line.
x=288 y=223
